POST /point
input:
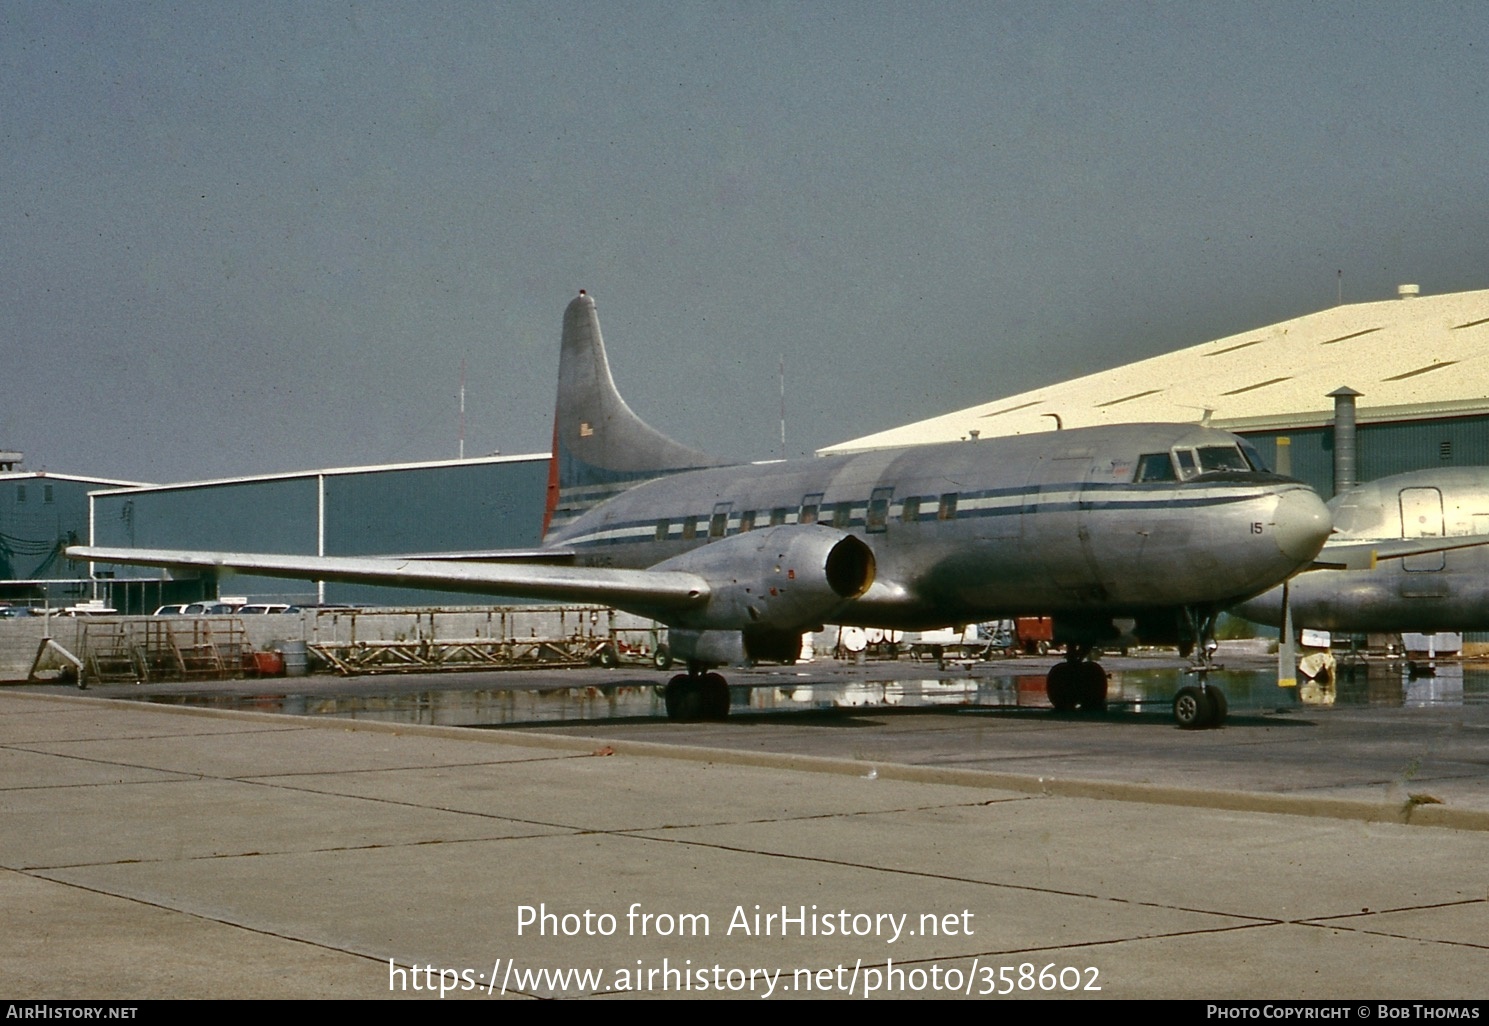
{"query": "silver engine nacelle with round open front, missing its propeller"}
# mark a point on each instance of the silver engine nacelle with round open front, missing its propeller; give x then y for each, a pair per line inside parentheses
(781, 579)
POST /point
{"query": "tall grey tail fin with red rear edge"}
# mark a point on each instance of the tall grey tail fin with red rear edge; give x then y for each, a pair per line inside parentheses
(601, 446)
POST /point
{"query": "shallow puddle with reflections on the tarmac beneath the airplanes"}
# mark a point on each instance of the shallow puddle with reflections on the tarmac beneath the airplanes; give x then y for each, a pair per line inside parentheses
(1131, 692)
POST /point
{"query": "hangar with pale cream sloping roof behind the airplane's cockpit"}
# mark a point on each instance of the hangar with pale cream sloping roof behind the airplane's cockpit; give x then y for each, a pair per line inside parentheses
(1418, 364)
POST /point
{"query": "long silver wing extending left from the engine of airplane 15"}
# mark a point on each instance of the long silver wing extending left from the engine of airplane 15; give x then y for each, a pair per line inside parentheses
(641, 592)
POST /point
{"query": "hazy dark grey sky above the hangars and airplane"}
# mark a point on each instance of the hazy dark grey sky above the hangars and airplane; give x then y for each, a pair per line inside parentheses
(254, 238)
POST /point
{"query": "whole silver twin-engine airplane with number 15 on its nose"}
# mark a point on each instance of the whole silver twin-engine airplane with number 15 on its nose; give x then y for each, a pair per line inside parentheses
(1143, 531)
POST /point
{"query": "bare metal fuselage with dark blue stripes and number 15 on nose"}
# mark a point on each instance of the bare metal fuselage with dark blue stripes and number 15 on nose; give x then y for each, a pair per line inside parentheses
(994, 528)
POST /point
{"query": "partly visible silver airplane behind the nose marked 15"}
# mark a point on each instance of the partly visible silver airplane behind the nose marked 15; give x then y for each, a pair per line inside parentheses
(1411, 553)
